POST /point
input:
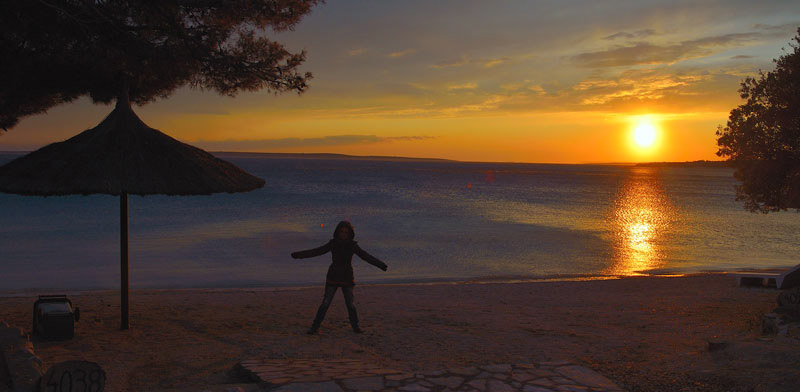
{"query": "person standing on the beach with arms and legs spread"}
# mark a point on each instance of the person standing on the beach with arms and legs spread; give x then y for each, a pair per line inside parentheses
(340, 273)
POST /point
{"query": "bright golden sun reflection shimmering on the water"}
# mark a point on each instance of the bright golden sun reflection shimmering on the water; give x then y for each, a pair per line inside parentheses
(640, 222)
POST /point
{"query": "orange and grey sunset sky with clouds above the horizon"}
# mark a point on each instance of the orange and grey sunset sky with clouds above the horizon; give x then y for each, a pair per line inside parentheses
(521, 81)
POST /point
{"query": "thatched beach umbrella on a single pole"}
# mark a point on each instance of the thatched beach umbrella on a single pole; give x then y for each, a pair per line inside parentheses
(123, 156)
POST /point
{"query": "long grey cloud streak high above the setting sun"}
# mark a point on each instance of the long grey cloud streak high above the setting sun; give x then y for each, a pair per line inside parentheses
(644, 53)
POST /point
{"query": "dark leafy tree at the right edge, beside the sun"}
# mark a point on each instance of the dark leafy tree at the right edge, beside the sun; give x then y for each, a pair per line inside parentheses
(762, 137)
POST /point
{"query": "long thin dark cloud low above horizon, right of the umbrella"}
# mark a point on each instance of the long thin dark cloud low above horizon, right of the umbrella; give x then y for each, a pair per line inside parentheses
(291, 142)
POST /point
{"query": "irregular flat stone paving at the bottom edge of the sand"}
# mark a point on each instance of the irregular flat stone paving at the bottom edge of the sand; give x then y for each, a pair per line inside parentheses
(351, 376)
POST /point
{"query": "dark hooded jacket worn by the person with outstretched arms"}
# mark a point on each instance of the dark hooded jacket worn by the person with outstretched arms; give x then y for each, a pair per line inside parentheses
(340, 273)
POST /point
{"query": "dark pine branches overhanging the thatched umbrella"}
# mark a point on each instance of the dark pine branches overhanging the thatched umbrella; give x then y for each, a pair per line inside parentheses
(55, 51)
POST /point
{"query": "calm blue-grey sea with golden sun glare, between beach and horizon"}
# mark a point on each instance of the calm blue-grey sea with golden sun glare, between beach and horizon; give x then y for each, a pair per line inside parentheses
(428, 220)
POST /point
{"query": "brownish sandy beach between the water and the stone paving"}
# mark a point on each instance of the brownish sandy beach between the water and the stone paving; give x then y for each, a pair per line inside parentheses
(644, 333)
